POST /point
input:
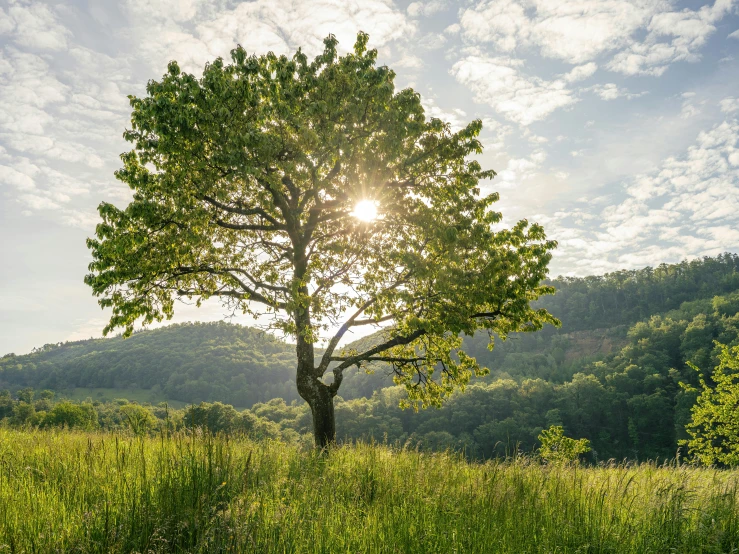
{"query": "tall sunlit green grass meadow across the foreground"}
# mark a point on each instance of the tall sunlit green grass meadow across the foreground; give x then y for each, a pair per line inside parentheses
(81, 492)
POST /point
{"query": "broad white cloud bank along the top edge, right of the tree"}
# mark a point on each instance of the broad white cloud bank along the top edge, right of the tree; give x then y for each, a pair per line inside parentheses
(579, 31)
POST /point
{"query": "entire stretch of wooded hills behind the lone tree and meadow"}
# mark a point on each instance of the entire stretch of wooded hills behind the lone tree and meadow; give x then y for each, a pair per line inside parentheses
(611, 374)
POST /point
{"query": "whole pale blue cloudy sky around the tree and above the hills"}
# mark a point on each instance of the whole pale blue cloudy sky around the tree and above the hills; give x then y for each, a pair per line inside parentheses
(613, 123)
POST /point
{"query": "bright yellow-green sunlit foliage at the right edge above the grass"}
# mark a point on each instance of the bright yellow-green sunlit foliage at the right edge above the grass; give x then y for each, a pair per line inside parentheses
(714, 426)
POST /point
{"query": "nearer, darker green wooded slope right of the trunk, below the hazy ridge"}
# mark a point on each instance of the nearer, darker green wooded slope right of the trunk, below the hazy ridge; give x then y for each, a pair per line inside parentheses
(628, 403)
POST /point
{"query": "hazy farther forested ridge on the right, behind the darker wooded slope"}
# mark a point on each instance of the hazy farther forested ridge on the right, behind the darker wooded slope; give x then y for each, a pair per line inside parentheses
(596, 313)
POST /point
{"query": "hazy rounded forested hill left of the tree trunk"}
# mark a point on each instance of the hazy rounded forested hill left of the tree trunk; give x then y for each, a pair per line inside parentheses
(188, 362)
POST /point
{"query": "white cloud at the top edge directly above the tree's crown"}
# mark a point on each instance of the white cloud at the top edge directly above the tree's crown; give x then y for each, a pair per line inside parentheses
(259, 26)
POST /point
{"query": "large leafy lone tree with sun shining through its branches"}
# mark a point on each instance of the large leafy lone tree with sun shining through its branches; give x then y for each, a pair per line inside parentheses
(312, 194)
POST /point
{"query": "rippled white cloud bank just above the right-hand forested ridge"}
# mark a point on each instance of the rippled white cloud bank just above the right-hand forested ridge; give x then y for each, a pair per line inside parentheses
(687, 207)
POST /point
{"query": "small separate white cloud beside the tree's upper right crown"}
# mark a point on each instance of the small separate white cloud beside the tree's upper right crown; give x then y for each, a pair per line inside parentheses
(499, 83)
